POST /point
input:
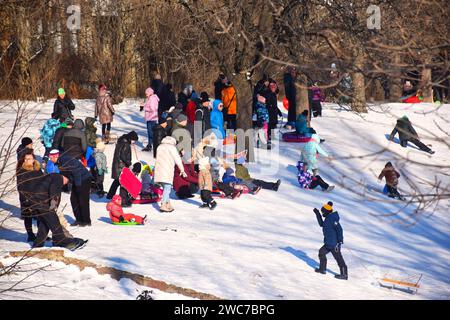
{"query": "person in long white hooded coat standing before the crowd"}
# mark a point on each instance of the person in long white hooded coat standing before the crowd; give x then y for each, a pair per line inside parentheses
(166, 158)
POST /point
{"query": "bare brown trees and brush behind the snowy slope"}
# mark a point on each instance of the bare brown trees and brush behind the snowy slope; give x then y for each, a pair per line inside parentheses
(125, 43)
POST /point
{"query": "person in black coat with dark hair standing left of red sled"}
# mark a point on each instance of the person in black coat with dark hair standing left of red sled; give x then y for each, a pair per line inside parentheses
(122, 159)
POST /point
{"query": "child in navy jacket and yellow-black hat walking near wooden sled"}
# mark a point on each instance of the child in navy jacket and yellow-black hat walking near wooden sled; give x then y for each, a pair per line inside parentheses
(333, 239)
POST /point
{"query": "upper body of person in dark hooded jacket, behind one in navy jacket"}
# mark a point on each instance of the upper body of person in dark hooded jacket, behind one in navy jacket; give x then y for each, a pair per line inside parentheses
(74, 141)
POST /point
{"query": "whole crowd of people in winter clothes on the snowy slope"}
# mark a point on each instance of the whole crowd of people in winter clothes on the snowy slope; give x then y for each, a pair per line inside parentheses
(74, 160)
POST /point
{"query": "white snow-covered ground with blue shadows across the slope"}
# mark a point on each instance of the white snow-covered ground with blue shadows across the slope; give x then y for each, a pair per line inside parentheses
(265, 246)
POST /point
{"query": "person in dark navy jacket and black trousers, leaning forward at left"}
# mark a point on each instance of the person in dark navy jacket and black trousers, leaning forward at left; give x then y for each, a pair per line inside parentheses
(80, 178)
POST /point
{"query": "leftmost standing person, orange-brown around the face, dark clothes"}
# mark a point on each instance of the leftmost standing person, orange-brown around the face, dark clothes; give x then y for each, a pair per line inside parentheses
(28, 171)
